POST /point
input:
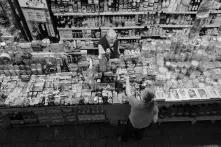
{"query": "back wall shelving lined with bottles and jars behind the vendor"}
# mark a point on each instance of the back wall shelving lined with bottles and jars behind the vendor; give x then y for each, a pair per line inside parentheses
(128, 17)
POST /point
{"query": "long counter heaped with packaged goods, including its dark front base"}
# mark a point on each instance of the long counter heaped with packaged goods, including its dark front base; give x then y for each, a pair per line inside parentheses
(50, 84)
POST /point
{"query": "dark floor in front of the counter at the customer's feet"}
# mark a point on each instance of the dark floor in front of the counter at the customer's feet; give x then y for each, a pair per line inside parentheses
(203, 134)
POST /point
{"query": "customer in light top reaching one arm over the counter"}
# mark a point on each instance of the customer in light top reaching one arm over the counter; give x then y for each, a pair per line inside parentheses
(144, 111)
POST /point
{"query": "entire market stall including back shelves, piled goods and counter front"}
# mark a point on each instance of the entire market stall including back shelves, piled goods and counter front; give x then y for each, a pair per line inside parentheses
(171, 46)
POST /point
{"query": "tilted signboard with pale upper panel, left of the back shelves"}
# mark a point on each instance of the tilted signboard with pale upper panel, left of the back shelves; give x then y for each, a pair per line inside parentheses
(38, 18)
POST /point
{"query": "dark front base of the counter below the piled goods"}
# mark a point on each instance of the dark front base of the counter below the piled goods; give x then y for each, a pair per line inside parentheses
(114, 114)
